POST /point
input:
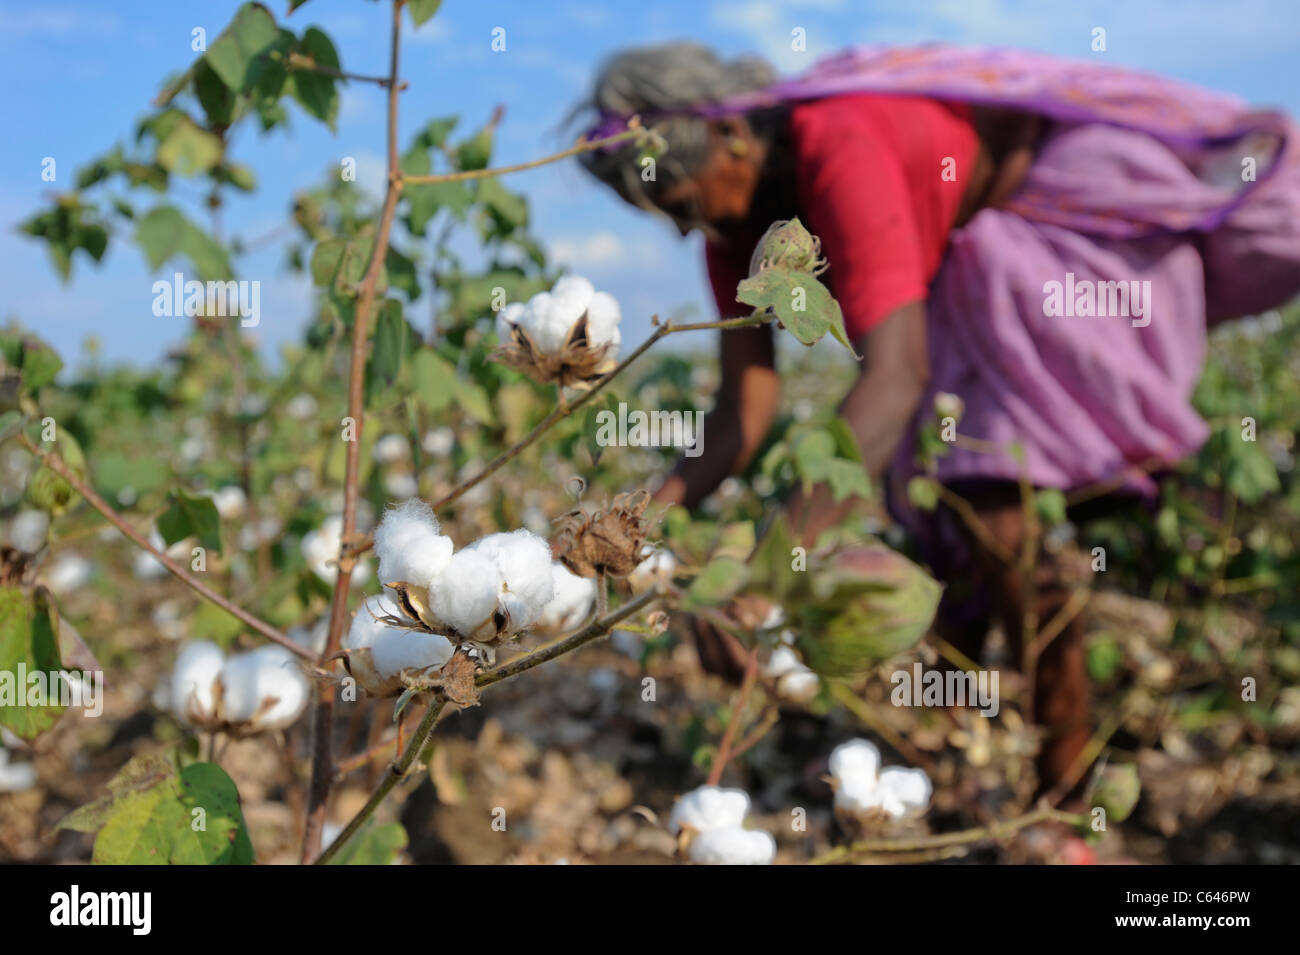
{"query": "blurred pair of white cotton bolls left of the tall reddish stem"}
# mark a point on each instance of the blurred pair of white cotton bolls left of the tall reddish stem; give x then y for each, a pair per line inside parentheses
(259, 692)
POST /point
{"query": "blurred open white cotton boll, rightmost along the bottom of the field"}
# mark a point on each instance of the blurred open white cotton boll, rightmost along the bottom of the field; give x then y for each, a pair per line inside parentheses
(868, 795)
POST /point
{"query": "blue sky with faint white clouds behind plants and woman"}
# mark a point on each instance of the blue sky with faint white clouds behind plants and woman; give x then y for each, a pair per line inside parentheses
(79, 75)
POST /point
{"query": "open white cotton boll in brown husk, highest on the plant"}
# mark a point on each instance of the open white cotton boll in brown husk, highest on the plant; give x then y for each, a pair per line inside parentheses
(569, 336)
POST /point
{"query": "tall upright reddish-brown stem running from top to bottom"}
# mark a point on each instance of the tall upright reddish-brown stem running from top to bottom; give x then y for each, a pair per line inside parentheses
(323, 724)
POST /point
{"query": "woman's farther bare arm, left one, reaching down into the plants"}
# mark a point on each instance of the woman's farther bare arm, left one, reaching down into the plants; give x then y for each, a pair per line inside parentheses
(733, 432)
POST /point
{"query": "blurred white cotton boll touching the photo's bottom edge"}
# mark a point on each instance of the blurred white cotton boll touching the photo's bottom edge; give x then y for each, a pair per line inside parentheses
(709, 823)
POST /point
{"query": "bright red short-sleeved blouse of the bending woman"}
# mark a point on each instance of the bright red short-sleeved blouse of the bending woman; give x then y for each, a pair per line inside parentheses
(873, 186)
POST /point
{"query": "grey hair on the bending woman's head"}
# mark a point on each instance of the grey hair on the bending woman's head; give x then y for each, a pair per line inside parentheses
(662, 80)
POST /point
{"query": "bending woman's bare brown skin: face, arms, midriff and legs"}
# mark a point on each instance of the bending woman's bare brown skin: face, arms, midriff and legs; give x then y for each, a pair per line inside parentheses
(744, 186)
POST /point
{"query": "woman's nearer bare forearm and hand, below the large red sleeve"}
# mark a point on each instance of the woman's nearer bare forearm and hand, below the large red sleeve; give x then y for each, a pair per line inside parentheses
(879, 407)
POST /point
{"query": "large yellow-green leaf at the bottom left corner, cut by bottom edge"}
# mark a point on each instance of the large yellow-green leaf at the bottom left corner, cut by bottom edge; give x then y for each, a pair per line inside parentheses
(187, 819)
